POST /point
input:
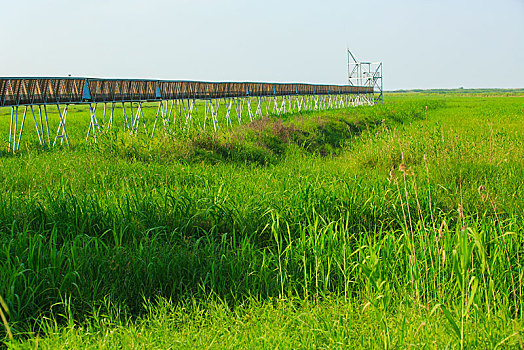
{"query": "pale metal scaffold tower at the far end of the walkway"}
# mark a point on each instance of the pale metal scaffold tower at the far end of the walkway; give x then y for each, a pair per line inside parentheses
(366, 74)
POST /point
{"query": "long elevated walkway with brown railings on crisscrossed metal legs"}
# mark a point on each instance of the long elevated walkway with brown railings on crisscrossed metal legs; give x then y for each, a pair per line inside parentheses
(177, 103)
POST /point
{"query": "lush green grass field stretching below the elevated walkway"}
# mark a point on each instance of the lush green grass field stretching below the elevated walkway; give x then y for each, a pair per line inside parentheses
(393, 226)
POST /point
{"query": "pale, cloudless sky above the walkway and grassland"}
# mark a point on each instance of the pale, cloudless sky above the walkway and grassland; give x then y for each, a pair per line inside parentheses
(423, 44)
